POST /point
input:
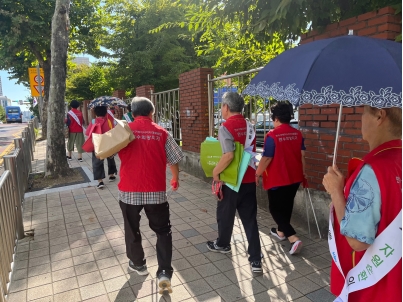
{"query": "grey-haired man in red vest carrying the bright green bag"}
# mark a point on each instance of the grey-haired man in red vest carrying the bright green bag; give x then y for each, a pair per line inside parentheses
(235, 129)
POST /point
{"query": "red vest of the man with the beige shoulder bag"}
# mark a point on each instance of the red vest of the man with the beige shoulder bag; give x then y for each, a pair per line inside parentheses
(143, 161)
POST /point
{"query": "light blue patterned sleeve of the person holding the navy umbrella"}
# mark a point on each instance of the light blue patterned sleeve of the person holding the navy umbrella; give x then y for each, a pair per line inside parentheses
(363, 208)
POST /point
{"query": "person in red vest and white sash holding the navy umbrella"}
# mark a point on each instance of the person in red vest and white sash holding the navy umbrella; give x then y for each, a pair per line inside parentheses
(366, 204)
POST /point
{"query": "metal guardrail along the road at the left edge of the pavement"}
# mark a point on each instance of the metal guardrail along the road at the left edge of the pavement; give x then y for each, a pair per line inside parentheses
(13, 183)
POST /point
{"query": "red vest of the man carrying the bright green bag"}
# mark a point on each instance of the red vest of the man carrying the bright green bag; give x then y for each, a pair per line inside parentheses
(236, 125)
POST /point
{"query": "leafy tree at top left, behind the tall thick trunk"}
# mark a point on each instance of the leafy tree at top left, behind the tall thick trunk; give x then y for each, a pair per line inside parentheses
(25, 36)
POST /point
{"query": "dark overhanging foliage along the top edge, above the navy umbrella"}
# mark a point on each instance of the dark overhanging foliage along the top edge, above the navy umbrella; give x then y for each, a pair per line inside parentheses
(288, 18)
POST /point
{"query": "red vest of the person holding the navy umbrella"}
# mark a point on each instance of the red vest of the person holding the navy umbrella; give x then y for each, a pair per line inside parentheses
(386, 161)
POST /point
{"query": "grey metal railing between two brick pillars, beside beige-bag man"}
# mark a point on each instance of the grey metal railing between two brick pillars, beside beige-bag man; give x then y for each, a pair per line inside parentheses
(167, 111)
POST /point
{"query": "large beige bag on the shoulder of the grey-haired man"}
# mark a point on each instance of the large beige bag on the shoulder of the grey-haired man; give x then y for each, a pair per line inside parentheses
(111, 142)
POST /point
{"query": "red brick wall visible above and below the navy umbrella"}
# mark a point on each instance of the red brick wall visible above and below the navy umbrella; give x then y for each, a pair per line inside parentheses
(318, 123)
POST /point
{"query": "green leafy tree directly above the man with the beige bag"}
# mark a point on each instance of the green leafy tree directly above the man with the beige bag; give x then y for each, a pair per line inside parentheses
(141, 57)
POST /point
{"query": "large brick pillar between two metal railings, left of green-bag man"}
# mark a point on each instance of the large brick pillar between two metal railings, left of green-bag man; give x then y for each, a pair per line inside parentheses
(194, 108)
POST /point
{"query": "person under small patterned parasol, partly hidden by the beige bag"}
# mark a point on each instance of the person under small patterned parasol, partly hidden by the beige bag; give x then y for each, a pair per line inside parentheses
(98, 168)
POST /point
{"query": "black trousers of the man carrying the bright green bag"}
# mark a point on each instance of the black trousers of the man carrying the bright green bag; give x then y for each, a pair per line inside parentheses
(245, 202)
